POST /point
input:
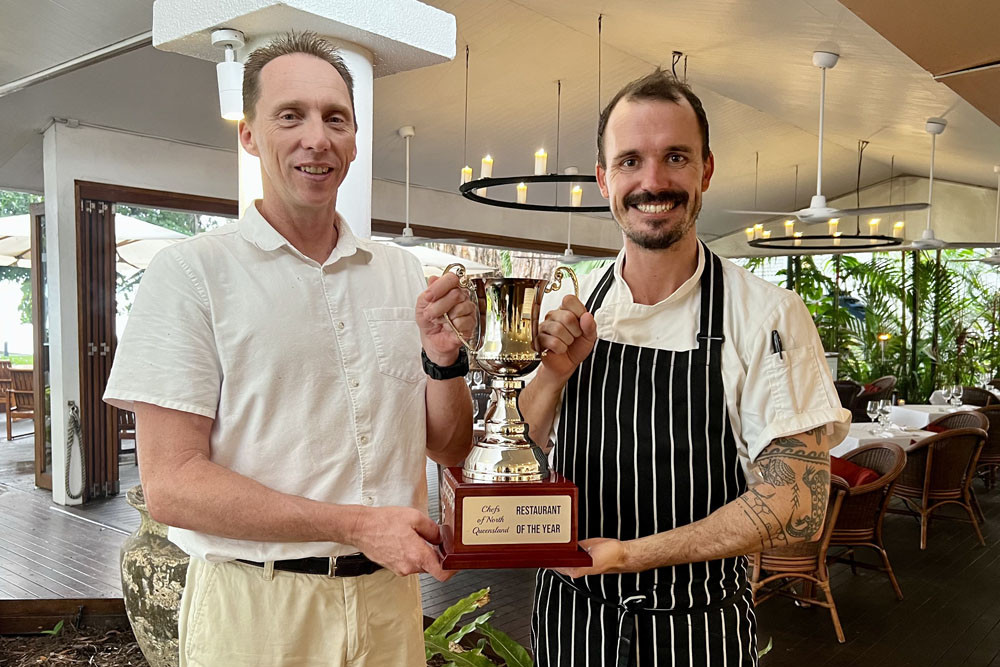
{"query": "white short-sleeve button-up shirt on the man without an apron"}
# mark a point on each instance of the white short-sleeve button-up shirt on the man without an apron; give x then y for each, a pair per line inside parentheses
(310, 371)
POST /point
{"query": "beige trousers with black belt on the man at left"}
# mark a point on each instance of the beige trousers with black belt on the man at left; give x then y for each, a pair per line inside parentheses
(235, 615)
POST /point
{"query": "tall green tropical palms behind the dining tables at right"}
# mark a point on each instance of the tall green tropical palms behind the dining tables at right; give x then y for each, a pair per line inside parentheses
(863, 306)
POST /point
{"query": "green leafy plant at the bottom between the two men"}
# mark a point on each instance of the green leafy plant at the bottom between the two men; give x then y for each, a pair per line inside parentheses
(441, 638)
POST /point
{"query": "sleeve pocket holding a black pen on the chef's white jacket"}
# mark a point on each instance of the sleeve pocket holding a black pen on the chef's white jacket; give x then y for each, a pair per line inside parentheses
(795, 381)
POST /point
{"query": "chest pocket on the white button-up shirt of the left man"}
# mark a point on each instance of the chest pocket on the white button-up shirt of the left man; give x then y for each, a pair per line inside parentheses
(397, 342)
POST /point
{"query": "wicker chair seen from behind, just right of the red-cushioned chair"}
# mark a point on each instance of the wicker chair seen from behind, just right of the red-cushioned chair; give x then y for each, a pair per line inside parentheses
(938, 472)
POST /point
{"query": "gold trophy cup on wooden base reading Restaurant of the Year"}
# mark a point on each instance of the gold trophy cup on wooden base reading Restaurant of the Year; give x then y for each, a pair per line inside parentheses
(505, 507)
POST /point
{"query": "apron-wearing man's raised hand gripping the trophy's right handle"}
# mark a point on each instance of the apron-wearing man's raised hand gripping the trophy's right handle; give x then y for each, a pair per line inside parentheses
(568, 335)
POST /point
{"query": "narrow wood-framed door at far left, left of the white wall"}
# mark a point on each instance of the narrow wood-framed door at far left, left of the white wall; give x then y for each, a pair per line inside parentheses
(40, 326)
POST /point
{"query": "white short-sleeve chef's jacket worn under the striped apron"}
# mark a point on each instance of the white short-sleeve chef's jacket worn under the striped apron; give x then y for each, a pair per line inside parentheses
(768, 395)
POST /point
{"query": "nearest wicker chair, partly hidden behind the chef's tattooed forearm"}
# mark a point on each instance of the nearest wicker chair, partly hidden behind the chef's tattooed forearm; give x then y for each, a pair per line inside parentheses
(805, 561)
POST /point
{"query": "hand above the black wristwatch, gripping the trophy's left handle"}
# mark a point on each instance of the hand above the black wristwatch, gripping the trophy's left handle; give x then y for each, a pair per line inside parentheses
(444, 296)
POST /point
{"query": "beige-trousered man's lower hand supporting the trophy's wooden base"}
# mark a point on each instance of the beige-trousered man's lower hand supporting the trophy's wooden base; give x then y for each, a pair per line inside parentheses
(399, 539)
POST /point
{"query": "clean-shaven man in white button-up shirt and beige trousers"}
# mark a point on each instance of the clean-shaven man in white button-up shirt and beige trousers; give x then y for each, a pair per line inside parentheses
(283, 416)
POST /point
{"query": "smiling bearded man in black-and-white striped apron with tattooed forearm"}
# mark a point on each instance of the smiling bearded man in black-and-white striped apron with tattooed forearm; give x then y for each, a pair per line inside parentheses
(691, 403)
